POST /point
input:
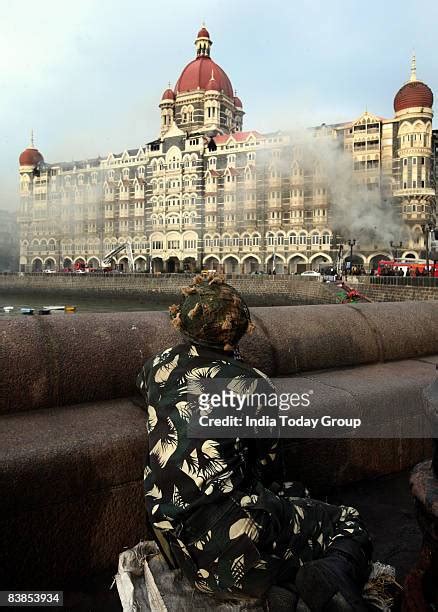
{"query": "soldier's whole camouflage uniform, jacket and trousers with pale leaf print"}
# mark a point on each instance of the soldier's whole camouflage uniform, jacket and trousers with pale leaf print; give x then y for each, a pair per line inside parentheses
(210, 496)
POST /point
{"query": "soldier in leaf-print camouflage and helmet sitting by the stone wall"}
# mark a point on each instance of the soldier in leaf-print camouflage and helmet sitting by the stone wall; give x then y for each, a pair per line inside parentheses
(213, 501)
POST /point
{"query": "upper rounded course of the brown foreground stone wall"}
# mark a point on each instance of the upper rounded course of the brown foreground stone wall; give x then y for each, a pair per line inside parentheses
(56, 361)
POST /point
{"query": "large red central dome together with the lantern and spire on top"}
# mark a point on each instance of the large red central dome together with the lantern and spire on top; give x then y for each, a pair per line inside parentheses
(203, 72)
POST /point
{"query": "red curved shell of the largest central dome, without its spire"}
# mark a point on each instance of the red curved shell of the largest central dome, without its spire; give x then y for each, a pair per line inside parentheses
(197, 74)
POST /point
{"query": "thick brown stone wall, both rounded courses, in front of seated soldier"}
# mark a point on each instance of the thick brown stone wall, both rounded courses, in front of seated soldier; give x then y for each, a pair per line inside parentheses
(73, 432)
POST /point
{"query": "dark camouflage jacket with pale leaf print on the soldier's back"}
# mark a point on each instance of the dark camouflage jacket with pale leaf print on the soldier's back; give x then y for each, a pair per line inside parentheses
(183, 473)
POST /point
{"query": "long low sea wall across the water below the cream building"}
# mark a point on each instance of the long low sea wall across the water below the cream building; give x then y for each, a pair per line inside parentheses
(257, 290)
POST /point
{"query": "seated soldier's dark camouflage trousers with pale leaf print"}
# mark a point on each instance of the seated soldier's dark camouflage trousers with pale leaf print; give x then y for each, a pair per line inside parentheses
(254, 540)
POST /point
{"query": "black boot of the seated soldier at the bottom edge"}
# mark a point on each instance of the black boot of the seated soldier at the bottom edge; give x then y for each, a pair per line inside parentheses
(335, 582)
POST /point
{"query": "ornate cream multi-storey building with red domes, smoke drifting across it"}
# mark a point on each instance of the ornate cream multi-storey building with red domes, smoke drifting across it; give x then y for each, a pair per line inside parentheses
(206, 194)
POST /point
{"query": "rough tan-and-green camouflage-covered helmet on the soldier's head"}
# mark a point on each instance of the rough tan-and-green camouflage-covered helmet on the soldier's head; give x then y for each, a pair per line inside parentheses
(212, 313)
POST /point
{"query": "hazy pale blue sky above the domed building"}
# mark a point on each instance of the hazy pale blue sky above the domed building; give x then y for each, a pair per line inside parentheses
(88, 75)
